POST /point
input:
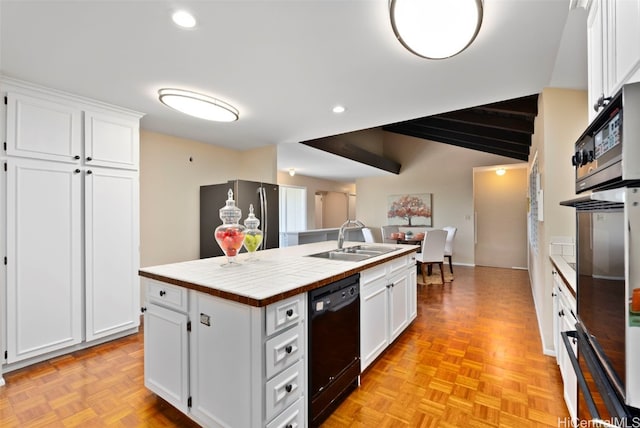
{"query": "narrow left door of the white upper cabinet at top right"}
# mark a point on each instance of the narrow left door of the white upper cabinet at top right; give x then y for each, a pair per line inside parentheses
(596, 55)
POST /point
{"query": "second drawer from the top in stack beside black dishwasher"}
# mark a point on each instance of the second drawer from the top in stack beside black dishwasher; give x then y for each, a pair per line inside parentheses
(284, 349)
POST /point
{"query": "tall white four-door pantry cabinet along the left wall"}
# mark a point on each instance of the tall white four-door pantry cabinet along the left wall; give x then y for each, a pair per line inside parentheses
(71, 217)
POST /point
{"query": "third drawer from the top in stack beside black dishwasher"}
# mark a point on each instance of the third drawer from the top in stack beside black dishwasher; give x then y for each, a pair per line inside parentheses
(284, 389)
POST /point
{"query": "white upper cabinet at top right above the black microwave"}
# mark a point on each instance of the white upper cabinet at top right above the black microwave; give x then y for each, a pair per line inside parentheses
(613, 37)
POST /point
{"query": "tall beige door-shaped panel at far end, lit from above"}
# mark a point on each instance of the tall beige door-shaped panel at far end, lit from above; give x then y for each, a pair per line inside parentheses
(500, 204)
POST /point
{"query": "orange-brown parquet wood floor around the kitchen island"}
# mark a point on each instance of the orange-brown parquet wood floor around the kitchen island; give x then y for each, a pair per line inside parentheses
(472, 358)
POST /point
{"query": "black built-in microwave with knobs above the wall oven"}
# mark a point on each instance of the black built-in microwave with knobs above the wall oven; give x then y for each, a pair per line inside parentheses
(607, 154)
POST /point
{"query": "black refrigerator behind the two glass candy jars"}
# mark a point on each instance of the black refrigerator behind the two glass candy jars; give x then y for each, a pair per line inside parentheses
(265, 199)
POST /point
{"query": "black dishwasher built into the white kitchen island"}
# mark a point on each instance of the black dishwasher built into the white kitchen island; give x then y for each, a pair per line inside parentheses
(334, 345)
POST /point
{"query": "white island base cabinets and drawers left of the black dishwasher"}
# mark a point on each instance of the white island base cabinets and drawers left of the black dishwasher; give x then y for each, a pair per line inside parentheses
(223, 363)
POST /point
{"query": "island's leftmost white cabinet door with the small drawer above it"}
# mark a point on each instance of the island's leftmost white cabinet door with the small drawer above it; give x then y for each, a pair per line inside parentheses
(166, 343)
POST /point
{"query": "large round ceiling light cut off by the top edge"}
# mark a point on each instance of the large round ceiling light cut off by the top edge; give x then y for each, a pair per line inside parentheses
(436, 29)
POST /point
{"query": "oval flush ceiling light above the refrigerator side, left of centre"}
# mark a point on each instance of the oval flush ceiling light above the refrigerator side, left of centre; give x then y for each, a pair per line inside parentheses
(198, 105)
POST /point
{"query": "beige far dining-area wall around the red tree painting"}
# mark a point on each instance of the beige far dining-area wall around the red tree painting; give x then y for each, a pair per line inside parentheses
(427, 167)
